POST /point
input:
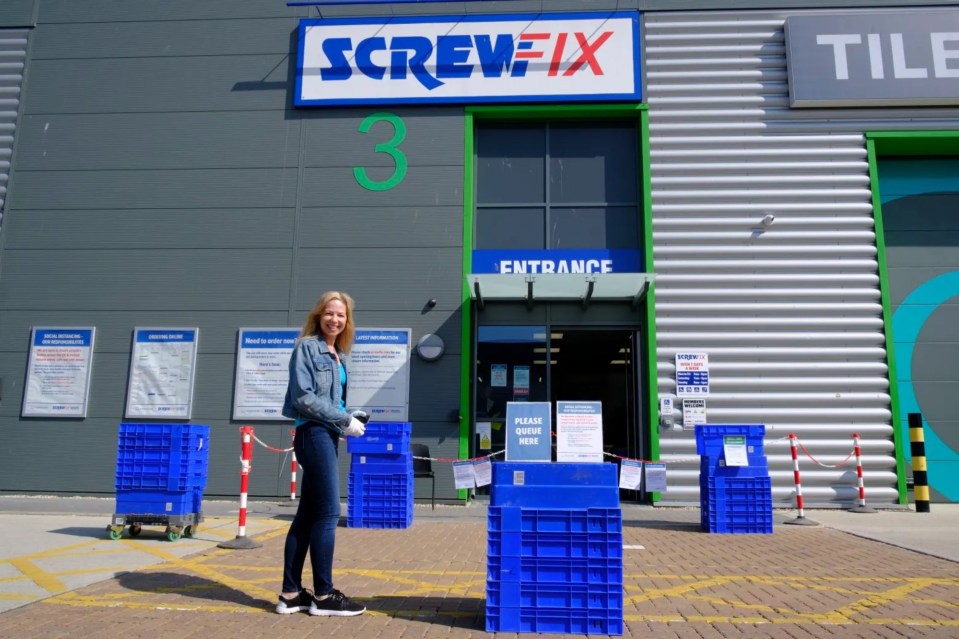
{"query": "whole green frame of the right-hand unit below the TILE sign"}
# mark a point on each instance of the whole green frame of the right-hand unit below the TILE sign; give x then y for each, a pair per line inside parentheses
(898, 143)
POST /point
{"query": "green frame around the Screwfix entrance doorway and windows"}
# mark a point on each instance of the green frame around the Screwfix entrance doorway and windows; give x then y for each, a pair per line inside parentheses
(554, 112)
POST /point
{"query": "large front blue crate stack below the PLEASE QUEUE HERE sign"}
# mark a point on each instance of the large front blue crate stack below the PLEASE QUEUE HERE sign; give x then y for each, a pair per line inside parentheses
(553, 567)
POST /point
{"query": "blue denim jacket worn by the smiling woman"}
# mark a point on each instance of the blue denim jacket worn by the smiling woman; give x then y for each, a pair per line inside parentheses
(314, 389)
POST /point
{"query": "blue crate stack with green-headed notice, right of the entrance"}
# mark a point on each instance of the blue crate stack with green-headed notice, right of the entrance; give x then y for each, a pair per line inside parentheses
(734, 499)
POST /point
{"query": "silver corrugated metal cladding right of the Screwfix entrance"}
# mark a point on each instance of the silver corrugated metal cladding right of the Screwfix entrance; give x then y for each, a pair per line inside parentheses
(765, 254)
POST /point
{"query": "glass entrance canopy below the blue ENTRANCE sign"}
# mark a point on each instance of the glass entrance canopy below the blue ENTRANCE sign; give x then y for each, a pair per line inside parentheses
(558, 287)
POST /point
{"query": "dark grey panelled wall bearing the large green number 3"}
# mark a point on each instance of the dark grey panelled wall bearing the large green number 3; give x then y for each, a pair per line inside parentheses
(162, 178)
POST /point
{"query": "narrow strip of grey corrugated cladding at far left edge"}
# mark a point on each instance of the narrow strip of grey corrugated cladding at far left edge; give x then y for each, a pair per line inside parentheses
(13, 54)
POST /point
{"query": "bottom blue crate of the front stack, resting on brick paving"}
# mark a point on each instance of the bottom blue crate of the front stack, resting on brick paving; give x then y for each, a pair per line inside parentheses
(554, 620)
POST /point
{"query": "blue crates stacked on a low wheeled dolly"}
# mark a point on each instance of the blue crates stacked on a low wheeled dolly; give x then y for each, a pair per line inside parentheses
(161, 469)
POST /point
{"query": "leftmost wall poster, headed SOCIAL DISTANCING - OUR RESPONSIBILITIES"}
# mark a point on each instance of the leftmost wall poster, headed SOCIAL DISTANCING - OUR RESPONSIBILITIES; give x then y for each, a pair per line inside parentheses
(58, 372)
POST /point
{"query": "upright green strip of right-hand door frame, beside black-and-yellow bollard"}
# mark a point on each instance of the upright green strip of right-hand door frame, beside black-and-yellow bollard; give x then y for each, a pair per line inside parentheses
(887, 319)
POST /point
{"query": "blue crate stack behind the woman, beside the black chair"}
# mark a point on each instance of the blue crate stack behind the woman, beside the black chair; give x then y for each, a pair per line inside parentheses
(380, 488)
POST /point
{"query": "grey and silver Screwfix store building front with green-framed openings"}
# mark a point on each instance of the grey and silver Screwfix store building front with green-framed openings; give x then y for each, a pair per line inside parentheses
(567, 202)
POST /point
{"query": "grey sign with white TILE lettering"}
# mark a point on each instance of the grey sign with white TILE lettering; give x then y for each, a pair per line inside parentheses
(873, 59)
